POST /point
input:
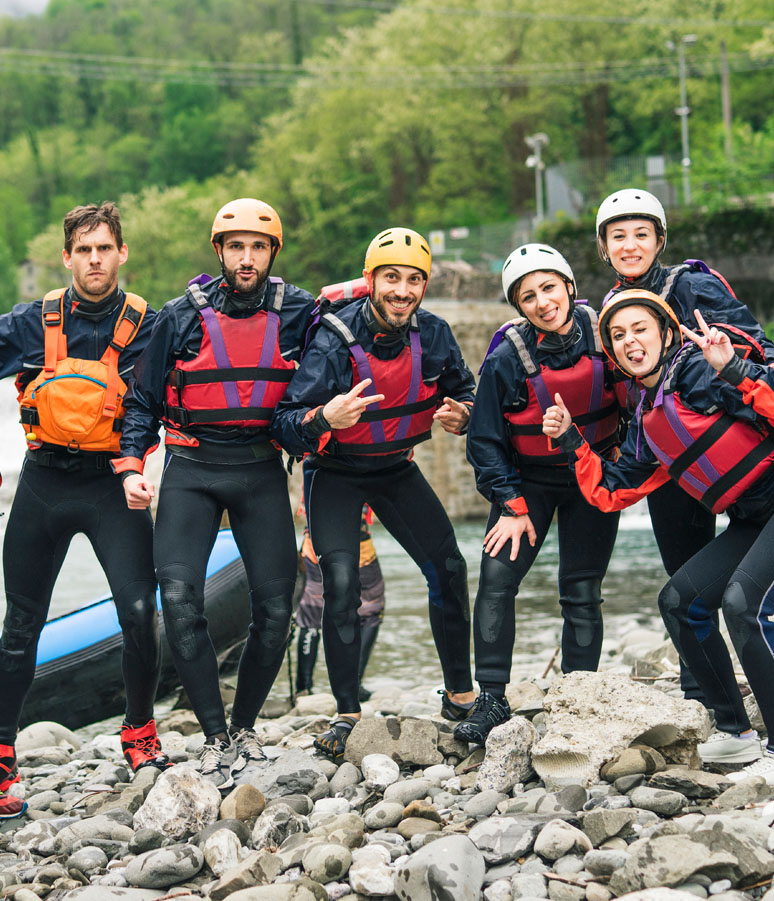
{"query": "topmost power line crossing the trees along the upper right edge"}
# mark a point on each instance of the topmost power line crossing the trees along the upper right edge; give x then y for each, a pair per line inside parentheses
(692, 23)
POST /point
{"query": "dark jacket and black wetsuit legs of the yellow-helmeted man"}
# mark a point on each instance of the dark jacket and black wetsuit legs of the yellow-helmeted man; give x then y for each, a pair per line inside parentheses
(393, 486)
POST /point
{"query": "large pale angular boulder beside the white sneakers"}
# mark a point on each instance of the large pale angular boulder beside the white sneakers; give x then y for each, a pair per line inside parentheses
(592, 717)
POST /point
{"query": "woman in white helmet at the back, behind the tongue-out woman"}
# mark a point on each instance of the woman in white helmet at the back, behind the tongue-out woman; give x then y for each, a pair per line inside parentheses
(631, 236)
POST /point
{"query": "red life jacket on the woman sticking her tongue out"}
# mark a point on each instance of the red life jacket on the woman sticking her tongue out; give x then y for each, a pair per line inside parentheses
(715, 458)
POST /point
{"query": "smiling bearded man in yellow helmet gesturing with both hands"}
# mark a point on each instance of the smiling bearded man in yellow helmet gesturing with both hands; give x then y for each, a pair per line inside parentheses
(375, 376)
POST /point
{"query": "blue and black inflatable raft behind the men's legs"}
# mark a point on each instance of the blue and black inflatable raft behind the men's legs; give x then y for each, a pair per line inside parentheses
(78, 676)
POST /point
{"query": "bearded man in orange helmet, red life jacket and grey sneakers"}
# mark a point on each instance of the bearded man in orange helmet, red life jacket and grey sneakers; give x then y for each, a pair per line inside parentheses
(218, 362)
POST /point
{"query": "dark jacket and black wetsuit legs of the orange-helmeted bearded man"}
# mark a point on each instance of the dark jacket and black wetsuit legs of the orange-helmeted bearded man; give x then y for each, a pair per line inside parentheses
(222, 467)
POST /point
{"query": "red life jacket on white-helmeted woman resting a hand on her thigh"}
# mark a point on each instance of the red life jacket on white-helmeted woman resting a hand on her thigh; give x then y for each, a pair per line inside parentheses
(586, 388)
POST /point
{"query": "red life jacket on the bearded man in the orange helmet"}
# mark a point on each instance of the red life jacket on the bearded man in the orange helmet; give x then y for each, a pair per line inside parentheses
(239, 375)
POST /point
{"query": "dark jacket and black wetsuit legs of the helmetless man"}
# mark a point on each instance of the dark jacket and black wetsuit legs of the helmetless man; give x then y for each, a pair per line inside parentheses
(61, 494)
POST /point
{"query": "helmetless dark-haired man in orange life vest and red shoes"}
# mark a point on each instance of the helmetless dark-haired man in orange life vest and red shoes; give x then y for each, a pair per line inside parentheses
(72, 352)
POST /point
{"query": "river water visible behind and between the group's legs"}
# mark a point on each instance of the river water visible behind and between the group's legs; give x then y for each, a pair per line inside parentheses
(405, 644)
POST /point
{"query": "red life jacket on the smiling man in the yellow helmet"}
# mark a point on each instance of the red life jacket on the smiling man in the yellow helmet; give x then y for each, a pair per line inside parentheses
(405, 416)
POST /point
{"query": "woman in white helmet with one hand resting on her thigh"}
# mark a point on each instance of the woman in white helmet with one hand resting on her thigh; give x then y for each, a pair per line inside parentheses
(553, 348)
